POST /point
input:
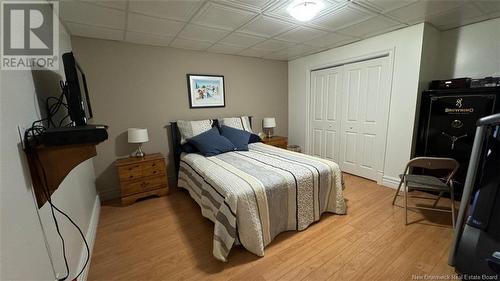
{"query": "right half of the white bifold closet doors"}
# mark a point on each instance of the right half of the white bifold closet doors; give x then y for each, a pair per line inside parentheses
(365, 103)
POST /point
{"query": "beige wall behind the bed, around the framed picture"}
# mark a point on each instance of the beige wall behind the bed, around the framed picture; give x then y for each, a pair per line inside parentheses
(144, 86)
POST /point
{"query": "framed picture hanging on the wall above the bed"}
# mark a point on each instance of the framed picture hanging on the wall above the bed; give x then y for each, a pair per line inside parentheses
(206, 90)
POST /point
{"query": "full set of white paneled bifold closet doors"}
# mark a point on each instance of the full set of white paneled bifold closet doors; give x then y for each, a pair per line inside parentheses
(349, 115)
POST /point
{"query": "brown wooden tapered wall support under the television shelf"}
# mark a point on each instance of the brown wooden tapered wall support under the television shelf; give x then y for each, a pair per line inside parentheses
(57, 162)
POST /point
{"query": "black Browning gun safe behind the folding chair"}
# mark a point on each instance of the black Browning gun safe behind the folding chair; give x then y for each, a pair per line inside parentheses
(447, 124)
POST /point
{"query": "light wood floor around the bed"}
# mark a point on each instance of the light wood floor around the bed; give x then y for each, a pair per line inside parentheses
(168, 239)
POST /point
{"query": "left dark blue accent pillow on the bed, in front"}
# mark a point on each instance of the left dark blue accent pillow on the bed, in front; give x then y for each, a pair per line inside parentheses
(211, 143)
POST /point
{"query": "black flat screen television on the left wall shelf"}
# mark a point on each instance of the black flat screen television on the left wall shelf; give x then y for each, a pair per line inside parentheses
(76, 91)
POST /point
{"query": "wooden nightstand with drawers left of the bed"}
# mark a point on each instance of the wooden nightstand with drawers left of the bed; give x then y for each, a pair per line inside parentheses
(141, 177)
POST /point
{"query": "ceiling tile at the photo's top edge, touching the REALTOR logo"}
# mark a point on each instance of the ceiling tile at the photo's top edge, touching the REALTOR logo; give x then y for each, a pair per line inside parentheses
(89, 14)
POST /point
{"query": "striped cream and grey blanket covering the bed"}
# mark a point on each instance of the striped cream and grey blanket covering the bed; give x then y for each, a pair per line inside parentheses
(254, 195)
